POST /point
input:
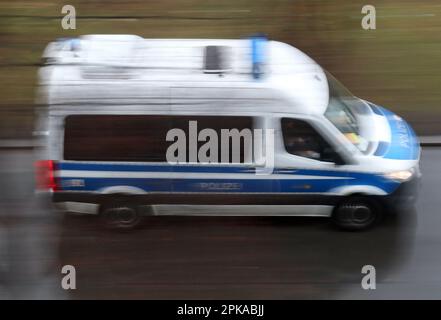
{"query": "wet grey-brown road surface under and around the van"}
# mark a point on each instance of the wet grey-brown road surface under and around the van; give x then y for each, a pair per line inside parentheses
(214, 257)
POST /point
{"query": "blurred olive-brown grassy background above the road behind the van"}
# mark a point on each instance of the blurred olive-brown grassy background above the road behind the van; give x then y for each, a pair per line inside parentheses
(397, 65)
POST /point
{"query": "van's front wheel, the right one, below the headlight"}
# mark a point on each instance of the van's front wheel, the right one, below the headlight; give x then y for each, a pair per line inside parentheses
(357, 213)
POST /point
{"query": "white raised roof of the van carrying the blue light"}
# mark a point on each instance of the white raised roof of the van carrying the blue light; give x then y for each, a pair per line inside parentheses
(128, 69)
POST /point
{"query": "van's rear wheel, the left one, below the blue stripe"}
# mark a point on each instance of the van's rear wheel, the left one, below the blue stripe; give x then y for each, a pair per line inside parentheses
(120, 215)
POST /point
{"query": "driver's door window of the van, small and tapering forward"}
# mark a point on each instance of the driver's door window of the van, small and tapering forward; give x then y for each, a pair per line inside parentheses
(302, 140)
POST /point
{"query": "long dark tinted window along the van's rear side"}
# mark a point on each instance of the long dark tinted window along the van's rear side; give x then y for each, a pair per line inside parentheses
(143, 137)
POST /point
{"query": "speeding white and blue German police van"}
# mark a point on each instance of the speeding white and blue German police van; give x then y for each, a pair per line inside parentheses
(108, 102)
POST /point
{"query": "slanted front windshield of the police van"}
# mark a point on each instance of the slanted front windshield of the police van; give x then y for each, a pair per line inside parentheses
(343, 110)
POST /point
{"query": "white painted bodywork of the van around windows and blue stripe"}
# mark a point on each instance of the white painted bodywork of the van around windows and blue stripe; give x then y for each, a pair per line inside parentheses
(129, 75)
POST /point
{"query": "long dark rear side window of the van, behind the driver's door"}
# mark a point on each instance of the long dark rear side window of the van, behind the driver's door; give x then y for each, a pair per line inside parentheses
(138, 137)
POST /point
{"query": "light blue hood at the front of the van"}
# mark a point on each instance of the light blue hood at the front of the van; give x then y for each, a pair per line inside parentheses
(402, 143)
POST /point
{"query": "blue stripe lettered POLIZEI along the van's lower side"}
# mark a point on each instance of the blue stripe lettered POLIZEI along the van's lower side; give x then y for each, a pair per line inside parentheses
(229, 184)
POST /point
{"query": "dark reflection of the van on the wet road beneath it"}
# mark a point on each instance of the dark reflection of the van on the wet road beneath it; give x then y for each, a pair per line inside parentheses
(230, 257)
